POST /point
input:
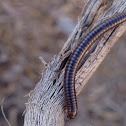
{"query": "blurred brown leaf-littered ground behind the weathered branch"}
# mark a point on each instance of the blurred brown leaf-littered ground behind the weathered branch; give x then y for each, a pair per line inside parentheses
(33, 28)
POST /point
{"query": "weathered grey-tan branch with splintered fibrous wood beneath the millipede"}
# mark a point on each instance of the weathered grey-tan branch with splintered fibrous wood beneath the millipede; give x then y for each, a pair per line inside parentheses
(46, 103)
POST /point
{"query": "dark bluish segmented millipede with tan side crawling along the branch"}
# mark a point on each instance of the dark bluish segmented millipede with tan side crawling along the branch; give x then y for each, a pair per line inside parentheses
(77, 55)
